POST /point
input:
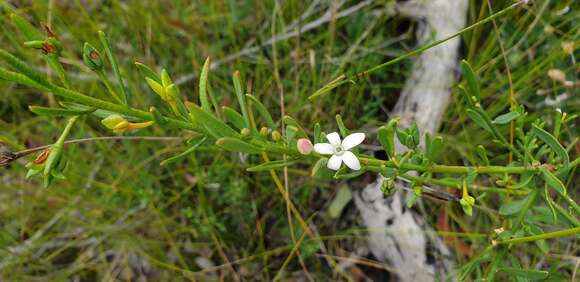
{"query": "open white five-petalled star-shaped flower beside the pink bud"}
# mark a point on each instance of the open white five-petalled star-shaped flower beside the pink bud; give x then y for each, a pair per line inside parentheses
(340, 150)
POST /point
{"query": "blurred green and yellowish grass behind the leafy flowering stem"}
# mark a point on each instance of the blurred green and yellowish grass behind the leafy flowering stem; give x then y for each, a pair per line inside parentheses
(120, 215)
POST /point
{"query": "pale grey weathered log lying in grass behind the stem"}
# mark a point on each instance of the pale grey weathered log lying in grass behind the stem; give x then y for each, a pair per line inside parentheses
(398, 235)
